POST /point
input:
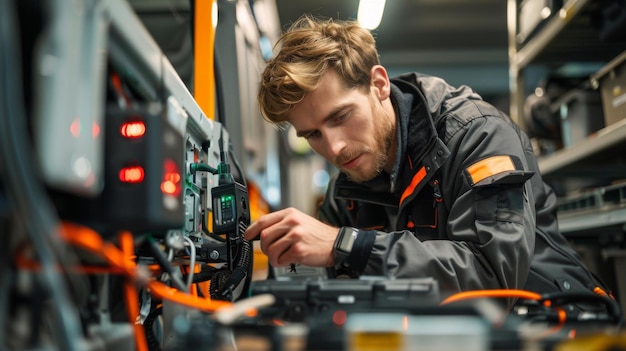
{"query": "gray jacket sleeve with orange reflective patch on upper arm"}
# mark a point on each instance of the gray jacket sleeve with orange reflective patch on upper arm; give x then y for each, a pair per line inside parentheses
(489, 234)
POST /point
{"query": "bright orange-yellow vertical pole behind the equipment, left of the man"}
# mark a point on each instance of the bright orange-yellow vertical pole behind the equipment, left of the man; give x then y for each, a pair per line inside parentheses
(205, 22)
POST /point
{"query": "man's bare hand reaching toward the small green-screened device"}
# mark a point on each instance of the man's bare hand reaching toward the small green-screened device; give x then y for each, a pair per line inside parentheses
(290, 236)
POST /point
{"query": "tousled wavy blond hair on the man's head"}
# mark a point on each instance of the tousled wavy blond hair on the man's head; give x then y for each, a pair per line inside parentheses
(309, 48)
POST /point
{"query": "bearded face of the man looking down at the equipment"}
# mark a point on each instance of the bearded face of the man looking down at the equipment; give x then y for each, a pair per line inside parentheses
(351, 129)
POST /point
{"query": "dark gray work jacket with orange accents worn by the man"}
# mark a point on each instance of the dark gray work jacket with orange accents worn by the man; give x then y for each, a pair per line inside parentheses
(465, 204)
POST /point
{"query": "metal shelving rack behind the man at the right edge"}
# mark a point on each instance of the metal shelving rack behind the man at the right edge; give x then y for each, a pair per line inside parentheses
(569, 36)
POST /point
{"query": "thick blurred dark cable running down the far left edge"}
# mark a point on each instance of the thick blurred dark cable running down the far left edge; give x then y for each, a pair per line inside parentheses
(23, 185)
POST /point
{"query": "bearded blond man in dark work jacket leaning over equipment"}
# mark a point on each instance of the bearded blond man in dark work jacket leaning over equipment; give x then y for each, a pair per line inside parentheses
(434, 181)
